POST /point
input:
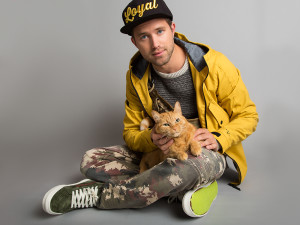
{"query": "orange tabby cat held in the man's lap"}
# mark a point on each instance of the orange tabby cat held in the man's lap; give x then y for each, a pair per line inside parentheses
(174, 125)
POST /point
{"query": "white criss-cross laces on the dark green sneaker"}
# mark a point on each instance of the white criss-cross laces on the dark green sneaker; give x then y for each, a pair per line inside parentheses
(83, 198)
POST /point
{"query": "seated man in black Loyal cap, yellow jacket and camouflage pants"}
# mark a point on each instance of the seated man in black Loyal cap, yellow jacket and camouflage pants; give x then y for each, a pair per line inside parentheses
(166, 69)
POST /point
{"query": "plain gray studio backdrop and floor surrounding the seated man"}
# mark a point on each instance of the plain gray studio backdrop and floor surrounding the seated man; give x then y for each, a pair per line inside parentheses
(62, 87)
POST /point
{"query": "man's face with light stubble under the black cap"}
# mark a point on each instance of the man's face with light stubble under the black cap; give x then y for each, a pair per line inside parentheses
(155, 41)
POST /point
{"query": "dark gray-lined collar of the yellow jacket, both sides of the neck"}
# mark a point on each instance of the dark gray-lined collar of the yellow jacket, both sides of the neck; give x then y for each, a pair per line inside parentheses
(195, 52)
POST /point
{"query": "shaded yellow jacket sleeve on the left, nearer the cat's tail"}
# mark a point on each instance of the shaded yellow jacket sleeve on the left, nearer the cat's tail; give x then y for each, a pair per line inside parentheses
(134, 113)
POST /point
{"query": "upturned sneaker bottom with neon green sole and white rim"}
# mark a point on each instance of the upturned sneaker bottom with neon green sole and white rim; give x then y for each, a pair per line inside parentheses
(196, 203)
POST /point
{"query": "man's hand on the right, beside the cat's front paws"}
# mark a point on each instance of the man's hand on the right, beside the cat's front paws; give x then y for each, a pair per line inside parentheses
(207, 139)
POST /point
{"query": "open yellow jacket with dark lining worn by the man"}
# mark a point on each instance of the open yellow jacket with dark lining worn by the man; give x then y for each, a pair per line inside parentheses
(223, 103)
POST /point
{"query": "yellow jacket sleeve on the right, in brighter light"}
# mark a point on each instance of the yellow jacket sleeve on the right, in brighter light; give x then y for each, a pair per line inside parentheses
(234, 100)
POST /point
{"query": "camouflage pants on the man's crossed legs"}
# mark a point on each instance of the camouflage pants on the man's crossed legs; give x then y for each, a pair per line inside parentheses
(117, 167)
